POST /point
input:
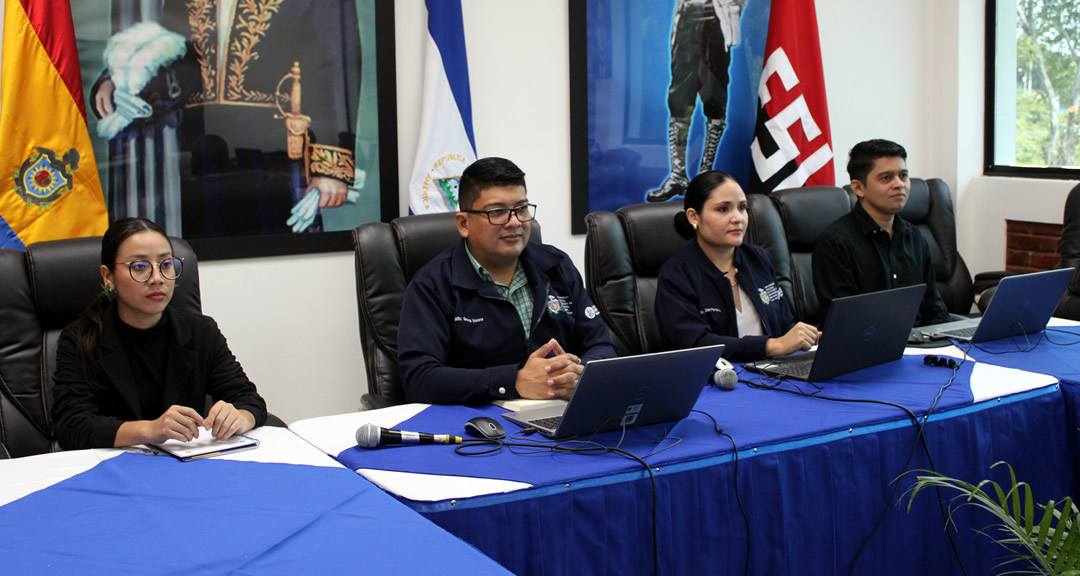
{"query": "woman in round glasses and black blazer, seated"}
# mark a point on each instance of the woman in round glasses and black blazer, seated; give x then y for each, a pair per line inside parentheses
(130, 371)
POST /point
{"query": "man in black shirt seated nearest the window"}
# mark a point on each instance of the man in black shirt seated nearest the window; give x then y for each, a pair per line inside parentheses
(873, 249)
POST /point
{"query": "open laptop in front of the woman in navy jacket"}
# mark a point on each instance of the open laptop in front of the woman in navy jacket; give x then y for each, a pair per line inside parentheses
(860, 331)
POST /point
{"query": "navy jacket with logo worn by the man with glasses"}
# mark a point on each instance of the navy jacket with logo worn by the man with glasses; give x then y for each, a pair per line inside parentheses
(461, 342)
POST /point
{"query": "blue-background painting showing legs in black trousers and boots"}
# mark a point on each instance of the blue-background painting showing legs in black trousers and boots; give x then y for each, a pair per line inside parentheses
(659, 92)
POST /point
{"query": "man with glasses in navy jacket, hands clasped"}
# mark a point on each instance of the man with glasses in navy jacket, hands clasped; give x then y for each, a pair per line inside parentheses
(497, 317)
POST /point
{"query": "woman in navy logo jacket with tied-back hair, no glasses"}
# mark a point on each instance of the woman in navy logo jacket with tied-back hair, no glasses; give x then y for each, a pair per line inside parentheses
(720, 290)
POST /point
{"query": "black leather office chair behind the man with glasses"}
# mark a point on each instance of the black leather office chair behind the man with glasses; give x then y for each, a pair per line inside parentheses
(388, 256)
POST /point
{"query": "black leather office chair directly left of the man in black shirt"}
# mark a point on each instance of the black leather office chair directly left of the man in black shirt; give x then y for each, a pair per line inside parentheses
(805, 215)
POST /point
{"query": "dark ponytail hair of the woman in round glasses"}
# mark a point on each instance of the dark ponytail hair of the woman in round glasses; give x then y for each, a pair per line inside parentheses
(88, 328)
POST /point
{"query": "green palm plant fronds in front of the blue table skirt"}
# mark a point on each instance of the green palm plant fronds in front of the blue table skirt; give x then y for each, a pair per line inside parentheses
(1050, 546)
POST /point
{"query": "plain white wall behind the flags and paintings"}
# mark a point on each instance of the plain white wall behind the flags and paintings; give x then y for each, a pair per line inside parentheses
(910, 72)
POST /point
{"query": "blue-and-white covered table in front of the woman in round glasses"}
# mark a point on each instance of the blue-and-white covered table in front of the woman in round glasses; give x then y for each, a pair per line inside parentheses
(283, 508)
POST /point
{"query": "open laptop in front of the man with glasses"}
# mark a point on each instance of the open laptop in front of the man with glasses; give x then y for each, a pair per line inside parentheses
(633, 391)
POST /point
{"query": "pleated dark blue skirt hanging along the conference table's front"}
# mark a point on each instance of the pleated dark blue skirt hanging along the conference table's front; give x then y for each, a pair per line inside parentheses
(811, 506)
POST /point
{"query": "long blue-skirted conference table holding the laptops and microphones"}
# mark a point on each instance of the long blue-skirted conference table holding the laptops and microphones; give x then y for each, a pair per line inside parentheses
(816, 485)
